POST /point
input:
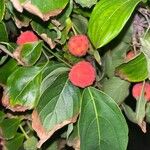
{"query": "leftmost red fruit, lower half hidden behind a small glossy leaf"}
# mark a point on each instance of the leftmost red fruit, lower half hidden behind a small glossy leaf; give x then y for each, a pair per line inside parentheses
(26, 37)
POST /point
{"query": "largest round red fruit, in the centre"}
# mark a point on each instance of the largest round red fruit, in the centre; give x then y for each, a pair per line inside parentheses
(82, 74)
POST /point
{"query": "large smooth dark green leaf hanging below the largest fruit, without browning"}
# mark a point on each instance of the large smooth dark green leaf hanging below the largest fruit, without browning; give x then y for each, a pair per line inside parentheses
(102, 125)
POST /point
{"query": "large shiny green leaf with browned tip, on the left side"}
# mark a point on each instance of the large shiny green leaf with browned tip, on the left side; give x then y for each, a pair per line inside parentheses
(23, 88)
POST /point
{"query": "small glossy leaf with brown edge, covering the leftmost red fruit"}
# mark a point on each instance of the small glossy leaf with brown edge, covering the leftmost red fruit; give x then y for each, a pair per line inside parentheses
(30, 53)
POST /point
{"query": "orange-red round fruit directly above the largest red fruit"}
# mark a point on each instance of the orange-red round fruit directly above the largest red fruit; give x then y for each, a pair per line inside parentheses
(78, 45)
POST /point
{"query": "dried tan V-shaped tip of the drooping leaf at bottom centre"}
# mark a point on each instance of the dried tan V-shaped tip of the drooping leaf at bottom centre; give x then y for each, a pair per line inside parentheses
(42, 133)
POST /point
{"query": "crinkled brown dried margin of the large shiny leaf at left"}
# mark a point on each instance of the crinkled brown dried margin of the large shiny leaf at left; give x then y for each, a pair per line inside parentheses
(17, 108)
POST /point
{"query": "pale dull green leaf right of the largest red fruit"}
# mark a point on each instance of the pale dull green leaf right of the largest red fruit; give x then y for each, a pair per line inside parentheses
(116, 88)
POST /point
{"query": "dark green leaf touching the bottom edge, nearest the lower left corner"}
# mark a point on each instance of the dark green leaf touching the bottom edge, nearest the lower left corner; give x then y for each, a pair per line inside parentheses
(15, 143)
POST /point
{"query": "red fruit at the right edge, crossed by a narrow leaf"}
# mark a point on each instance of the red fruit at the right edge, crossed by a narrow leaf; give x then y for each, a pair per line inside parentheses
(137, 88)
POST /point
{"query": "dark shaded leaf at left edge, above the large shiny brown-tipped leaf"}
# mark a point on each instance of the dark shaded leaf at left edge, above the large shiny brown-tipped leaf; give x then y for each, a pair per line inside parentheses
(6, 70)
